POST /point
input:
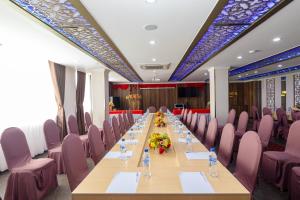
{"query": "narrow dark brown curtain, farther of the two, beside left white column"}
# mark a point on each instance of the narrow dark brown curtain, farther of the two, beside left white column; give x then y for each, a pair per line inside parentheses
(79, 101)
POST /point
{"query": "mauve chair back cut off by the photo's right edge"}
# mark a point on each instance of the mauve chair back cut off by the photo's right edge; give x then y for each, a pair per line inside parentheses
(292, 144)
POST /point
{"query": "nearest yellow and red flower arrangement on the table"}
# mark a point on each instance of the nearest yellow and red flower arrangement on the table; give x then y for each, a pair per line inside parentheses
(160, 141)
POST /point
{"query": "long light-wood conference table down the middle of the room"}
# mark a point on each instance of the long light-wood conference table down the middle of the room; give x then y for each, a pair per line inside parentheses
(165, 169)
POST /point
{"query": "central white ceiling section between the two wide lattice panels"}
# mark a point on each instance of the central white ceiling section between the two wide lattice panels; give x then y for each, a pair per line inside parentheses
(178, 23)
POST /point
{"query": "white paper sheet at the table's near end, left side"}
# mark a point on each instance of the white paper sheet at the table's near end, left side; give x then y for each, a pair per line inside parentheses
(124, 182)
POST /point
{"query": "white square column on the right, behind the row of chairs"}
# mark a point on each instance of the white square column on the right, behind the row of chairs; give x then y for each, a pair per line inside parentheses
(219, 98)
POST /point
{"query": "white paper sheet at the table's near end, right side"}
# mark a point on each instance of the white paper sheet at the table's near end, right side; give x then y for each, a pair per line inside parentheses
(195, 182)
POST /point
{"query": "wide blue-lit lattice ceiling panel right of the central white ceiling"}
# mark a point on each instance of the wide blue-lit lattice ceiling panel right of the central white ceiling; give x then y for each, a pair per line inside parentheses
(235, 18)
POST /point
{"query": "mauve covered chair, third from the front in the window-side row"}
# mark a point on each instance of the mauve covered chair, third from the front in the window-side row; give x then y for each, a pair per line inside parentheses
(73, 129)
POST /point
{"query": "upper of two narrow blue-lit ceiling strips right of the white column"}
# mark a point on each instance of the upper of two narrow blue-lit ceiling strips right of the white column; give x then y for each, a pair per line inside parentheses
(289, 54)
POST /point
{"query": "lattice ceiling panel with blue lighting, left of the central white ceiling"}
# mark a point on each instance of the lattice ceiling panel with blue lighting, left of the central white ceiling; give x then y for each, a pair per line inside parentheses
(64, 18)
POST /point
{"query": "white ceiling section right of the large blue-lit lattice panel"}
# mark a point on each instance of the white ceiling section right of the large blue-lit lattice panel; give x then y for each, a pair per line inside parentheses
(284, 24)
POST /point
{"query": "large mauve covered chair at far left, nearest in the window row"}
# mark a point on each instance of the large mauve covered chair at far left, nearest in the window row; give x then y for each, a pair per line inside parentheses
(39, 175)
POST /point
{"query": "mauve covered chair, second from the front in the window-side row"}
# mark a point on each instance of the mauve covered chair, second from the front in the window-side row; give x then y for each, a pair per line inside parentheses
(51, 132)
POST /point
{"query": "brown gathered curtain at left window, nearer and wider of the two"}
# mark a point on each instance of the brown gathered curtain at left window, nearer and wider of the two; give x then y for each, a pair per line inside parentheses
(58, 78)
